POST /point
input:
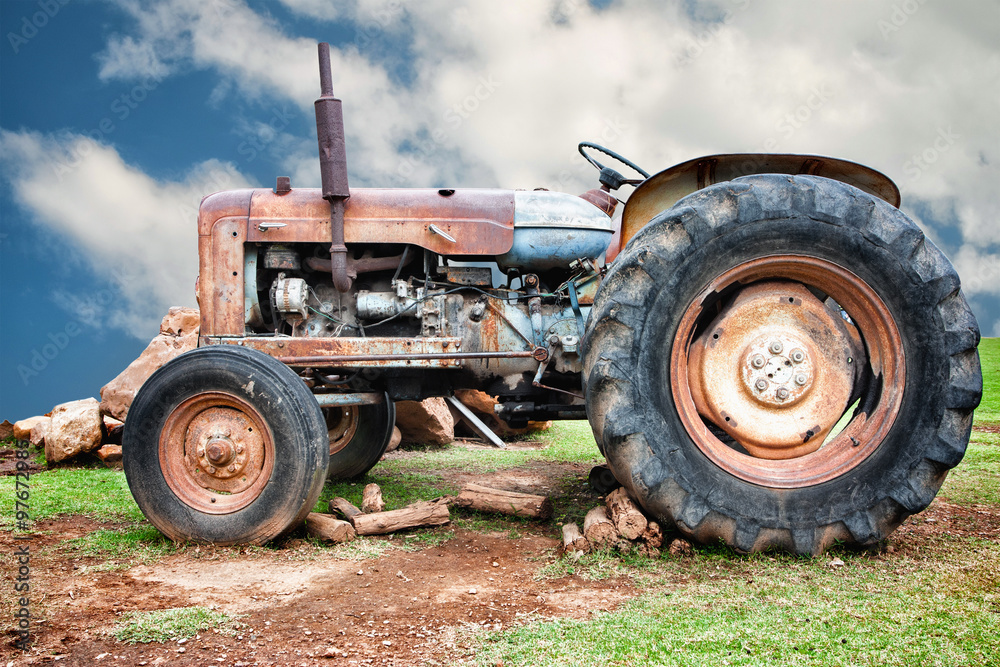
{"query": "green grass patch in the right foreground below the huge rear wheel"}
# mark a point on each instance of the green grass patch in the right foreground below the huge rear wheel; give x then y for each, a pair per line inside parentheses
(761, 610)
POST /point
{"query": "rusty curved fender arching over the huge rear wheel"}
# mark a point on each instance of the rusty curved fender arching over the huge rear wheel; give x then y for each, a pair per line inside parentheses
(663, 190)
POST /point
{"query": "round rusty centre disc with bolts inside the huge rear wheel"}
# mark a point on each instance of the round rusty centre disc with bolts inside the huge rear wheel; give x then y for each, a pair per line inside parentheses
(774, 370)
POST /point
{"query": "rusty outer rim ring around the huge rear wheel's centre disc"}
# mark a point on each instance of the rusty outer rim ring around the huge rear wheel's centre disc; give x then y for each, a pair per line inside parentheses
(880, 342)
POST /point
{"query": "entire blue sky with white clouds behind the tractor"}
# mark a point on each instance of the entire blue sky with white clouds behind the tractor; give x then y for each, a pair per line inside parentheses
(116, 116)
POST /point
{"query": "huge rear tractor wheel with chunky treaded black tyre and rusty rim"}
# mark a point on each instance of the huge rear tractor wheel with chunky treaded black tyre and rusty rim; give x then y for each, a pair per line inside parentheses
(705, 418)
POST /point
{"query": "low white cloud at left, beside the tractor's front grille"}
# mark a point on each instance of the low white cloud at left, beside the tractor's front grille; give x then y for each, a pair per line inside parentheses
(134, 231)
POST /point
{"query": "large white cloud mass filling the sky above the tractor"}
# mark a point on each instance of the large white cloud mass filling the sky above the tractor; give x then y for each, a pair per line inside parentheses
(501, 92)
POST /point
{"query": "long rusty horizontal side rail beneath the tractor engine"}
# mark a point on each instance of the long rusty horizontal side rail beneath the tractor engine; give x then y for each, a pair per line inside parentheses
(366, 352)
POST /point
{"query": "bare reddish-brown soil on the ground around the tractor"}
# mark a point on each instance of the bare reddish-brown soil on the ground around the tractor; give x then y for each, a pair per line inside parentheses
(301, 604)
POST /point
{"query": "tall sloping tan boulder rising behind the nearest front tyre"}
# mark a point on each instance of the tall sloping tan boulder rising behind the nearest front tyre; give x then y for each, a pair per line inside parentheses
(177, 337)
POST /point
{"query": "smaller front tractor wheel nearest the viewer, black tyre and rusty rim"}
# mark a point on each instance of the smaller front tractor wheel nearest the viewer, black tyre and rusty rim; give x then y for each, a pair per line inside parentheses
(225, 445)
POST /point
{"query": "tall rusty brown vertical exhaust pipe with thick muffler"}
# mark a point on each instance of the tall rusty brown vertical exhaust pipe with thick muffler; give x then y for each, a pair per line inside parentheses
(333, 166)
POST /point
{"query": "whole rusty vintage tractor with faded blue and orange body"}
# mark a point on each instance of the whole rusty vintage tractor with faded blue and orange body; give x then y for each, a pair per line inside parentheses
(768, 351)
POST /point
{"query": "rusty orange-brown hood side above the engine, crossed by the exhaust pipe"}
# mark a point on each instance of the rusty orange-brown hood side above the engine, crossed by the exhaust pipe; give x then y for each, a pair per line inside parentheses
(481, 222)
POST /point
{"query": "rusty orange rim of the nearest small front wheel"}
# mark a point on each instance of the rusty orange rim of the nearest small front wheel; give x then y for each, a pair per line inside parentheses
(216, 453)
